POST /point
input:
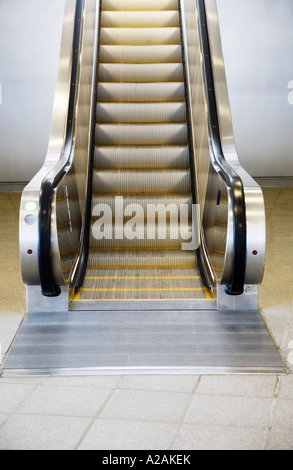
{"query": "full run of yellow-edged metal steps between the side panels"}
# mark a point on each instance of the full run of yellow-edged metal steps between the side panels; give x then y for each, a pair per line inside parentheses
(141, 156)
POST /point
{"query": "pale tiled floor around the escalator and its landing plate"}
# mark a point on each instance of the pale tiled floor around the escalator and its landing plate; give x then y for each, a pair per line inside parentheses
(153, 412)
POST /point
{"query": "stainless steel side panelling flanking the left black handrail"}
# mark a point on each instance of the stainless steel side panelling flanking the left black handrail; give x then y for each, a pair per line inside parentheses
(69, 198)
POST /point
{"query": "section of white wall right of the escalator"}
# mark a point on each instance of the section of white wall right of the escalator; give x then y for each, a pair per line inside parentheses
(257, 39)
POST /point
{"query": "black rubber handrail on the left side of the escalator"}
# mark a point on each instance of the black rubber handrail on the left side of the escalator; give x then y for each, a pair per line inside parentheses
(50, 182)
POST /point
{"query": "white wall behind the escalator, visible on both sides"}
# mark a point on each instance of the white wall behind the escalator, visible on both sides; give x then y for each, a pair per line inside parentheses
(258, 49)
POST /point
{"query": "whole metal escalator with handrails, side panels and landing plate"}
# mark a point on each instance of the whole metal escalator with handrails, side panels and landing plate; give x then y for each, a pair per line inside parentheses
(142, 237)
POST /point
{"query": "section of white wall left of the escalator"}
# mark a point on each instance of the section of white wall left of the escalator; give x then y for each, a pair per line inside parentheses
(30, 34)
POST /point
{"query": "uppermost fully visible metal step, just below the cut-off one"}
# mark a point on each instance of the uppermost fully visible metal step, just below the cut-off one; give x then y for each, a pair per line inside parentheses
(140, 19)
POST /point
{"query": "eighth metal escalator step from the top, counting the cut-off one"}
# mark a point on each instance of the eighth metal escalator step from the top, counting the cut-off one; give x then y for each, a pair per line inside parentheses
(144, 134)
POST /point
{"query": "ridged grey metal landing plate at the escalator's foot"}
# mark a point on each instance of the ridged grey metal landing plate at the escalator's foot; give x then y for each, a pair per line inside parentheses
(101, 342)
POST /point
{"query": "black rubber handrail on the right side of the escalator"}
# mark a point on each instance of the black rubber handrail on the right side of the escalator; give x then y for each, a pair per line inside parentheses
(226, 172)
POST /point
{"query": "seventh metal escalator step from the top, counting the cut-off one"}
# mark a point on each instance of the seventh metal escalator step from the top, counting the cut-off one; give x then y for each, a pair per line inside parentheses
(137, 113)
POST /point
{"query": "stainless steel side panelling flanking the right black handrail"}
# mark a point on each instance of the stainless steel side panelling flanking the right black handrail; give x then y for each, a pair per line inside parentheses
(208, 181)
